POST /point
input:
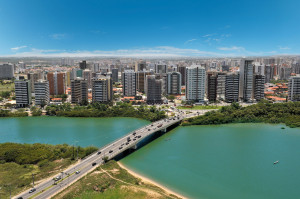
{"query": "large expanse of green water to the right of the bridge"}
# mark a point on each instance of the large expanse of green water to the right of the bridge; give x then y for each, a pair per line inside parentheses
(224, 162)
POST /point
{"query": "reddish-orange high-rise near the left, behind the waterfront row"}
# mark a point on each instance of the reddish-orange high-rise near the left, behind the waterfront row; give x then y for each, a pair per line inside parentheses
(56, 83)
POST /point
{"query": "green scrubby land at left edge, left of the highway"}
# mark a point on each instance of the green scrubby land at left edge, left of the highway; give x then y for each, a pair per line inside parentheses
(19, 161)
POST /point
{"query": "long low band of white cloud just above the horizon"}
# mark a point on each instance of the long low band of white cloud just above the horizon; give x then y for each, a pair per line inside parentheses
(158, 52)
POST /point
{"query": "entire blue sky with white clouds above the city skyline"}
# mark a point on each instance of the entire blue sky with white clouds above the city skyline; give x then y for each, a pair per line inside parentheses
(133, 28)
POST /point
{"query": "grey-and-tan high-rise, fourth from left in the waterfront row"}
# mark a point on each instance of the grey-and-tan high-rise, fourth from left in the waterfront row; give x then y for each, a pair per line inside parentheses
(102, 90)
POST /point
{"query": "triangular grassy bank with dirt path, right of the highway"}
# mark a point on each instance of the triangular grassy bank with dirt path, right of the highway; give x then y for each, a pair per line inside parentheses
(111, 181)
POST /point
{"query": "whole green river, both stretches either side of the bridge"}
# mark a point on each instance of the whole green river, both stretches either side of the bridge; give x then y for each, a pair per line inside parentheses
(211, 162)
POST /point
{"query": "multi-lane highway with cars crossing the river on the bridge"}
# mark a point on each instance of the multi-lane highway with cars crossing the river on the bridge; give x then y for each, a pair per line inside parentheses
(69, 176)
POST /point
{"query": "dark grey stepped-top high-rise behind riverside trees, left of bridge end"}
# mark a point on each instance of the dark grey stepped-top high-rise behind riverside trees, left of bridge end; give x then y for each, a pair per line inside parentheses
(153, 90)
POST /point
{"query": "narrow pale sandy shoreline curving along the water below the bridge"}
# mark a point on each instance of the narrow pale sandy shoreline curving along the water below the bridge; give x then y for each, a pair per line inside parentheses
(147, 180)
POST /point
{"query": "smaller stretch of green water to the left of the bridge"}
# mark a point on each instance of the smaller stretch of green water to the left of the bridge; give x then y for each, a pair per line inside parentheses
(58, 130)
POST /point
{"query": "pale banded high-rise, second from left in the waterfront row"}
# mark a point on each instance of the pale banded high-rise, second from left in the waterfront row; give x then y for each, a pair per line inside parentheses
(42, 93)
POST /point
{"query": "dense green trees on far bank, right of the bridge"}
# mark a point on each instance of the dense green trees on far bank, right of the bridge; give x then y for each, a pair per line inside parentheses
(264, 111)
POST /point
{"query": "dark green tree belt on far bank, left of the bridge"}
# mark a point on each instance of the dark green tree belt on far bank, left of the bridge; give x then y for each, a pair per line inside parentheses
(103, 110)
